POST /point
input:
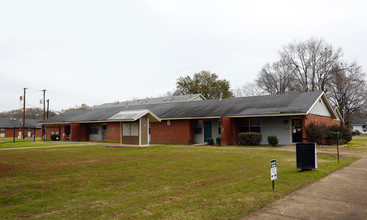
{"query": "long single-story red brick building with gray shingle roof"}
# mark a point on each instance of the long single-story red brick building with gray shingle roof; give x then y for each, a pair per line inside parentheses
(193, 120)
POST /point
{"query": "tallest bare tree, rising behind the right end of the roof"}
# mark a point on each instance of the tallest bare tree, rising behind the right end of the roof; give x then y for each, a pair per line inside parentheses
(303, 66)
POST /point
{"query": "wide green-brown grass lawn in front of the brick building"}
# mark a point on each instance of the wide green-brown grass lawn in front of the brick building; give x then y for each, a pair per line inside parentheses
(89, 182)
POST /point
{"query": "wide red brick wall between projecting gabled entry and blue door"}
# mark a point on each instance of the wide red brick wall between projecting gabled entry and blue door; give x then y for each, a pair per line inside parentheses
(179, 132)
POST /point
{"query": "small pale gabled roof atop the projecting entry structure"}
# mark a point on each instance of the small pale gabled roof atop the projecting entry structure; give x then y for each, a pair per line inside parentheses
(134, 115)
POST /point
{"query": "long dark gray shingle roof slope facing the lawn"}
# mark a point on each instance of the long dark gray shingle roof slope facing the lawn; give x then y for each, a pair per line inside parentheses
(295, 103)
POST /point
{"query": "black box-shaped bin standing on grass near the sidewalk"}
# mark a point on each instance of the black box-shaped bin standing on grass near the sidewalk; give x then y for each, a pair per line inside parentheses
(306, 156)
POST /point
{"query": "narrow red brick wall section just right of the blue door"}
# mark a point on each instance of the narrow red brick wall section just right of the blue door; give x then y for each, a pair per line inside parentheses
(229, 132)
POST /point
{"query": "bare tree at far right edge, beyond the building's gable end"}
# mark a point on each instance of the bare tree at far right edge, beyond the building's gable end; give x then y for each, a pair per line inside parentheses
(347, 90)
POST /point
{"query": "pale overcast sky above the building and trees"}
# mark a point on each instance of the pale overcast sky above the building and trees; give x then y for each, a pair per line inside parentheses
(95, 52)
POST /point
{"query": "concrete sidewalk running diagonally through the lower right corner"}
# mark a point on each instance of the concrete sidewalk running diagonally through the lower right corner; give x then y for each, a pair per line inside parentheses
(341, 195)
